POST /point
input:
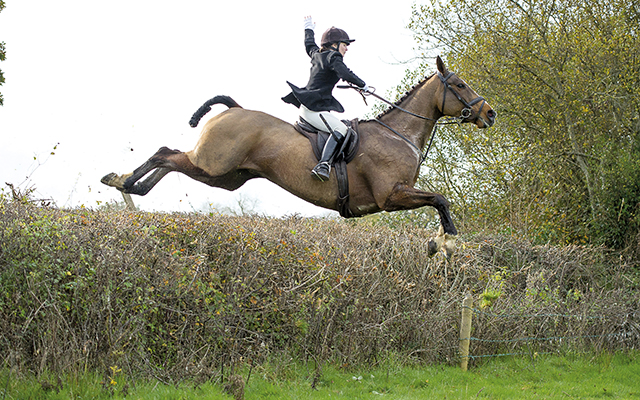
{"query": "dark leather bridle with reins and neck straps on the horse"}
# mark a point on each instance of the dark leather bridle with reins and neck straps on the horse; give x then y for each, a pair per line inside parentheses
(465, 113)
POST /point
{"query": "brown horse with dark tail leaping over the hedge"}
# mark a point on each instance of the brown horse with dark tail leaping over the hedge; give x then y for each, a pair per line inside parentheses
(239, 144)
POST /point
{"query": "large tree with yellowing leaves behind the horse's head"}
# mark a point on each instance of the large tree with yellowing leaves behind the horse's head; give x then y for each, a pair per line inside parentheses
(564, 75)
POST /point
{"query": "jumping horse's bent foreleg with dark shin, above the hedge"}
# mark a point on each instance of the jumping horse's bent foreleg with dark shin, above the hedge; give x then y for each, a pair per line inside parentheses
(405, 197)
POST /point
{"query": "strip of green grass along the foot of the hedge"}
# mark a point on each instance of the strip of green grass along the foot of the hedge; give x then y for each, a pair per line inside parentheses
(604, 376)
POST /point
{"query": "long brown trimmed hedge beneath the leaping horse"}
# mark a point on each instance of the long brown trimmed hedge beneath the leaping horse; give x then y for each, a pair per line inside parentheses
(176, 296)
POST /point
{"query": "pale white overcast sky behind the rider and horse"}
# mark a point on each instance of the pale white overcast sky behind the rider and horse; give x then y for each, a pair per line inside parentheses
(94, 87)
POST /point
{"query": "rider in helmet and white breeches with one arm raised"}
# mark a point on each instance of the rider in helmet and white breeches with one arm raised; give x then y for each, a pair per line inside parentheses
(316, 100)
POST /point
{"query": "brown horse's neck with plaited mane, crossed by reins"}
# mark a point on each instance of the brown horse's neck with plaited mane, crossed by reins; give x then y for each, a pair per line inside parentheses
(419, 102)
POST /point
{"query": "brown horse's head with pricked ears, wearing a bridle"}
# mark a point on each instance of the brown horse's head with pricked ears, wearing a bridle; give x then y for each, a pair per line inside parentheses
(459, 100)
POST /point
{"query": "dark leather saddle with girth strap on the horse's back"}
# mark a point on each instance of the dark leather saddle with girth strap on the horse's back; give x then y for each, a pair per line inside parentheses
(347, 152)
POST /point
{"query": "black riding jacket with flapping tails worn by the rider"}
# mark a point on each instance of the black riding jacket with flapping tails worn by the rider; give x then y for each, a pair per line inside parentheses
(327, 68)
